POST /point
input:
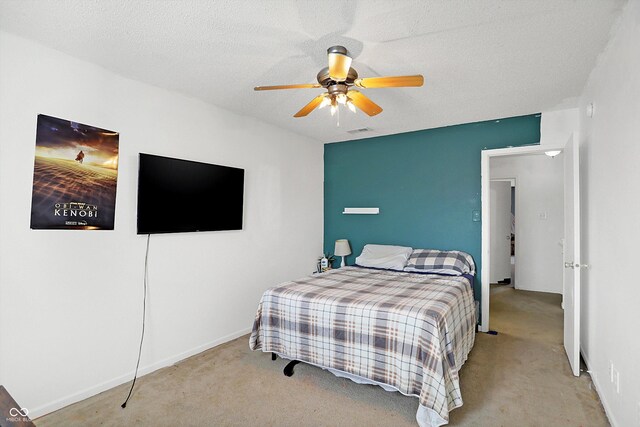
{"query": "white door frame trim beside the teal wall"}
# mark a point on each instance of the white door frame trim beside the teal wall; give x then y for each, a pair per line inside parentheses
(485, 179)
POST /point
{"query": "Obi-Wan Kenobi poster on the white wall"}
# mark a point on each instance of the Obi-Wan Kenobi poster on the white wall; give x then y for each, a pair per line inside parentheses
(75, 176)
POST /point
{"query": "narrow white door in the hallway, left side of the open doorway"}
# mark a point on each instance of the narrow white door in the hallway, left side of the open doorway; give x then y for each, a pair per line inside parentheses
(500, 203)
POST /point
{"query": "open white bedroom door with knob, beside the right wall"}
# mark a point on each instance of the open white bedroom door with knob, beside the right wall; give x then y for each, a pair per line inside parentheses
(572, 262)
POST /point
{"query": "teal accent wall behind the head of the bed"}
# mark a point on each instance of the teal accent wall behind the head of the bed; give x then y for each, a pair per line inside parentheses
(426, 184)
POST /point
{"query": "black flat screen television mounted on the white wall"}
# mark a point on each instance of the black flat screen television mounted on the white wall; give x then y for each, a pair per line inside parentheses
(181, 196)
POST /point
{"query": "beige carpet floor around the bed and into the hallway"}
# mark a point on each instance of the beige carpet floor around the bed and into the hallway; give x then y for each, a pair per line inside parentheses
(520, 377)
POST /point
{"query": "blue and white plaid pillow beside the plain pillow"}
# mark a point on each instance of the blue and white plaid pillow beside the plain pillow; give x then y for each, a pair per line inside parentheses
(436, 261)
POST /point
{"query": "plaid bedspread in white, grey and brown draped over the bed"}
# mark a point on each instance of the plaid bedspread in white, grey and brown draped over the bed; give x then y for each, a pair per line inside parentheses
(410, 331)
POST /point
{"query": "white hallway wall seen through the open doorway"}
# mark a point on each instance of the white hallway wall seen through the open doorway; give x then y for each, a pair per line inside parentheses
(539, 190)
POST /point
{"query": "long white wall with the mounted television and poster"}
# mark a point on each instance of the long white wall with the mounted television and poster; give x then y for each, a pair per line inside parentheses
(71, 301)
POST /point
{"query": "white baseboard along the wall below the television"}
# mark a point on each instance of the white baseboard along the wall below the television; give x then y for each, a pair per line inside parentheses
(144, 370)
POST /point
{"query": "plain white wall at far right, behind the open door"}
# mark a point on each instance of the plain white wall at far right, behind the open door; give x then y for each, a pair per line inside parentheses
(610, 149)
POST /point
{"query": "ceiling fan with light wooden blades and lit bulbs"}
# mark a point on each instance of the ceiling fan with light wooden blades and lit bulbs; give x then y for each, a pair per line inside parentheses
(339, 79)
